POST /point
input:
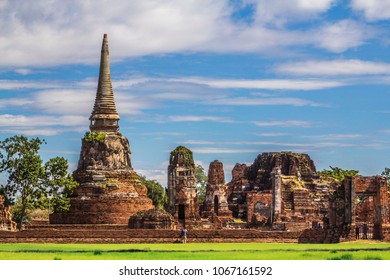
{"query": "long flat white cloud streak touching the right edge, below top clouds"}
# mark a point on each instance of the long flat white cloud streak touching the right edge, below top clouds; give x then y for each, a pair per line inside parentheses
(335, 68)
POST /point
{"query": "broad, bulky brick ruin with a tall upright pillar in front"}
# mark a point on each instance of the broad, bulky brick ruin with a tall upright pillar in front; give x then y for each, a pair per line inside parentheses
(280, 190)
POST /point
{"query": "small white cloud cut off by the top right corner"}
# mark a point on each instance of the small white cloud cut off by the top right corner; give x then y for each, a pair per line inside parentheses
(373, 9)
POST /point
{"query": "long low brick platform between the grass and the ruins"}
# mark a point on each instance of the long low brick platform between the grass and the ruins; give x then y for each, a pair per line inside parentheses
(122, 234)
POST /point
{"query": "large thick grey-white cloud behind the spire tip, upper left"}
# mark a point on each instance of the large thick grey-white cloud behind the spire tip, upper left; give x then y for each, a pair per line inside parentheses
(42, 33)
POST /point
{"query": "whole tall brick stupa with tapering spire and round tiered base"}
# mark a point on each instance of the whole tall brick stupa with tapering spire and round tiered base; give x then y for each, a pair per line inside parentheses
(109, 190)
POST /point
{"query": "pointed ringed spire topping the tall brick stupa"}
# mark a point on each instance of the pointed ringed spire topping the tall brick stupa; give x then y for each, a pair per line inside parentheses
(104, 117)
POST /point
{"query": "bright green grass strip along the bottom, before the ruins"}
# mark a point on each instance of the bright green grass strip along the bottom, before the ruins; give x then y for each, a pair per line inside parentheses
(197, 251)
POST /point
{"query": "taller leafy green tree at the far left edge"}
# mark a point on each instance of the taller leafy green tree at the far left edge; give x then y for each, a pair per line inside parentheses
(20, 159)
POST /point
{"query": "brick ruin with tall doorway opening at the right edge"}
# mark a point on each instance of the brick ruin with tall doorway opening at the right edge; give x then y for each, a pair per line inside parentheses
(358, 209)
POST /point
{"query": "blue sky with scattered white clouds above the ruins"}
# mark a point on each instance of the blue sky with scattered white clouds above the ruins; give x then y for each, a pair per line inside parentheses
(227, 79)
